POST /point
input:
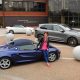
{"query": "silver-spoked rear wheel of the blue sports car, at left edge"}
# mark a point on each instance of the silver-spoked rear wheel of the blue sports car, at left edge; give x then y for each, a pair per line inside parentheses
(5, 63)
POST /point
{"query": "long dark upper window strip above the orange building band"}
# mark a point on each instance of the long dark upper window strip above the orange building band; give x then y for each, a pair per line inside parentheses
(27, 6)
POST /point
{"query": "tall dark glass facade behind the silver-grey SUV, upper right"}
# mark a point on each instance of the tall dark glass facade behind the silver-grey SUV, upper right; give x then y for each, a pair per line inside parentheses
(65, 11)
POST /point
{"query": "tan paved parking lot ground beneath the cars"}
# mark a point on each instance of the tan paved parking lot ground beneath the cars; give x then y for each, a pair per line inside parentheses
(66, 68)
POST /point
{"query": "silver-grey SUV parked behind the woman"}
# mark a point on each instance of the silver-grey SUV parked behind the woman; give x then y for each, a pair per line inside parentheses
(59, 33)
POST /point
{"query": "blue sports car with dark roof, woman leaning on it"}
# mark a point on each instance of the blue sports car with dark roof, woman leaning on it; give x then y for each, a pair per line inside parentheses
(24, 50)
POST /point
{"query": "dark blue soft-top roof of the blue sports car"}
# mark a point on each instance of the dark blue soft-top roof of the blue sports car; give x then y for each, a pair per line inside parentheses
(20, 42)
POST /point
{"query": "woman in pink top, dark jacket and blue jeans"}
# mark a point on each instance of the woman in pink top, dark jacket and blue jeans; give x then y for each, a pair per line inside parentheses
(44, 44)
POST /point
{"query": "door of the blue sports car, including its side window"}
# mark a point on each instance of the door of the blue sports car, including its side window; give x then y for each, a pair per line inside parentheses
(28, 53)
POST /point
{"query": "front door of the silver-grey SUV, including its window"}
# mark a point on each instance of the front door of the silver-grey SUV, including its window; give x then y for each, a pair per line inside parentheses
(58, 33)
